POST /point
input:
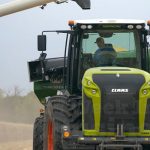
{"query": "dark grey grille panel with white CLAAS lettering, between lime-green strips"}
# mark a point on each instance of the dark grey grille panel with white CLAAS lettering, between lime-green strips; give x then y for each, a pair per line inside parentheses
(119, 101)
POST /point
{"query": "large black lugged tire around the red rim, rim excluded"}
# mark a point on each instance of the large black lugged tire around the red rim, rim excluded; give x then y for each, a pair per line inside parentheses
(62, 110)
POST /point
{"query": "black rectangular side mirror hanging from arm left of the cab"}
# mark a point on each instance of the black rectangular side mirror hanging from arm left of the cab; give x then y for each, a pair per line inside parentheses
(41, 42)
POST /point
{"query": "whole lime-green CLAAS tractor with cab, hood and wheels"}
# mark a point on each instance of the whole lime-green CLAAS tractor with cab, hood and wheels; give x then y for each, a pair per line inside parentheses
(94, 98)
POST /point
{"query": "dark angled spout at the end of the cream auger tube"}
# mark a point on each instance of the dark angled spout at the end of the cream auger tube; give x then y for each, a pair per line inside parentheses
(84, 4)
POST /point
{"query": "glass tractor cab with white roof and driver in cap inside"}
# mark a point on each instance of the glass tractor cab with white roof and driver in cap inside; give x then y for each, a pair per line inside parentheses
(107, 43)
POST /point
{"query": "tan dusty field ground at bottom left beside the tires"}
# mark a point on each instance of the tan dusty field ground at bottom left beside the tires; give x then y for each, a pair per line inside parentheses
(15, 136)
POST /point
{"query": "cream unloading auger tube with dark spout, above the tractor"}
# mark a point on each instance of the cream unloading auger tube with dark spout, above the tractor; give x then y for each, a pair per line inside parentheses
(20, 5)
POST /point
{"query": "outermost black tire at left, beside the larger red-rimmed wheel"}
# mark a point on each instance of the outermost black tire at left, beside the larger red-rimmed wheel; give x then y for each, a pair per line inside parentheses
(38, 134)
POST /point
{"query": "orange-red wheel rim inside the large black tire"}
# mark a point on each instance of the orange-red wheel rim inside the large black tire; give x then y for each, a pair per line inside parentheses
(50, 136)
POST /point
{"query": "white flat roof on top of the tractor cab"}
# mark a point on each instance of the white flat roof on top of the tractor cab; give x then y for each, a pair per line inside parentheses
(110, 21)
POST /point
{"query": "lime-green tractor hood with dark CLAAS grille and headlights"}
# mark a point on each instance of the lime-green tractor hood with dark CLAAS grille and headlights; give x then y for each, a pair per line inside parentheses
(116, 96)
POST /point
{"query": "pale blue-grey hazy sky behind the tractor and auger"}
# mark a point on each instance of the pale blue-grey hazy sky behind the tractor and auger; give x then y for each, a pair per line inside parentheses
(18, 40)
